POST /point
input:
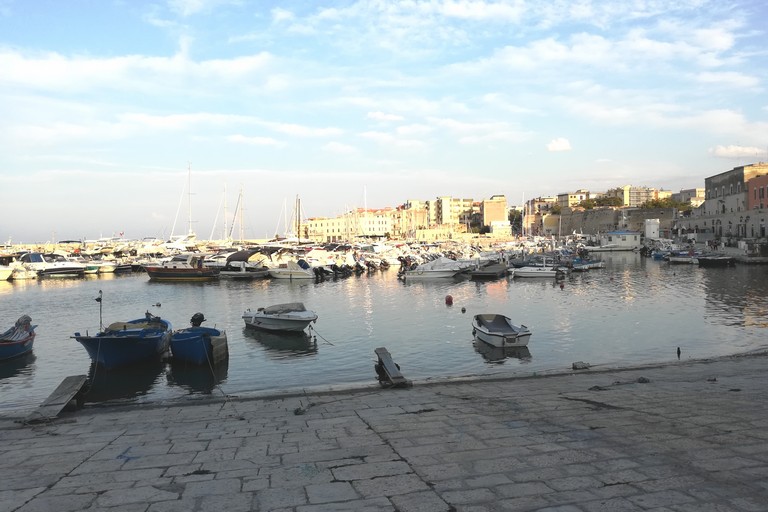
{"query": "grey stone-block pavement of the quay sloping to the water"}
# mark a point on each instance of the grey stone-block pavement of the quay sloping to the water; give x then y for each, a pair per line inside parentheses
(687, 436)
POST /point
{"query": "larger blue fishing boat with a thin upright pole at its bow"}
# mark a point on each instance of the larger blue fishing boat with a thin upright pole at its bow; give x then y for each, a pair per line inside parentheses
(123, 343)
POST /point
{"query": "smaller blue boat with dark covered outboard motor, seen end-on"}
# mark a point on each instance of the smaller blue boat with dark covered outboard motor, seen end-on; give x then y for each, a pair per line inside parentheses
(199, 345)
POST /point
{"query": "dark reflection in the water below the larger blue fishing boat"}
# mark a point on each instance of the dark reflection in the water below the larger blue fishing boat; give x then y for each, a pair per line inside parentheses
(125, 383)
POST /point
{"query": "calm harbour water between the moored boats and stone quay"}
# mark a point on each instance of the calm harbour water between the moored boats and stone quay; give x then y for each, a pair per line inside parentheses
(632, 312)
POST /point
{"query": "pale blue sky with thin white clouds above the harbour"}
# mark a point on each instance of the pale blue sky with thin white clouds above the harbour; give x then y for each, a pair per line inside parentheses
(152, 118)
